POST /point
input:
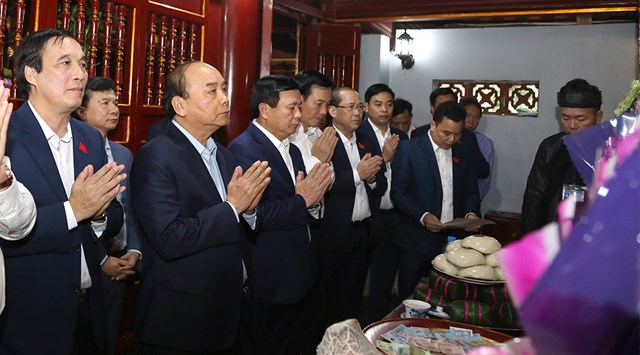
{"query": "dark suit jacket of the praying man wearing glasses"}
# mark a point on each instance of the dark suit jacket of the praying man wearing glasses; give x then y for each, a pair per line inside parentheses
(339, 199)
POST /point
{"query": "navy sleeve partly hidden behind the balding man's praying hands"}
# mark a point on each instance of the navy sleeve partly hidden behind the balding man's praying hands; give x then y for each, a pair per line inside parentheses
(272, 213)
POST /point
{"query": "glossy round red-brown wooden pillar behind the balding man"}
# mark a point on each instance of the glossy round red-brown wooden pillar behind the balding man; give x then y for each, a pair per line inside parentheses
(241, 52)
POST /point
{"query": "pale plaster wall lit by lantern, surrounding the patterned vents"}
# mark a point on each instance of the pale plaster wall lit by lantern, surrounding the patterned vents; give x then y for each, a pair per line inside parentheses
(605, 55)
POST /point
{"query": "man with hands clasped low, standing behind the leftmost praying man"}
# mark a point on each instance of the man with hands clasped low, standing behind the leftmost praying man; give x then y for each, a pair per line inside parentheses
(100, 110)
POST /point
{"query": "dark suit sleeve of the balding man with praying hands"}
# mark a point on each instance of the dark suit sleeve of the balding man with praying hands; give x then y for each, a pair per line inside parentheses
(156, 189)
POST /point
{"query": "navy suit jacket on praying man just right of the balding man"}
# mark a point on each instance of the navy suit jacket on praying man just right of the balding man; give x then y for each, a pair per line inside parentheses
(283, 268)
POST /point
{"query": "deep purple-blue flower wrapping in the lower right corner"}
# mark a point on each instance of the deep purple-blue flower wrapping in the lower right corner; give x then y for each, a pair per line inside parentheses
(587, 301)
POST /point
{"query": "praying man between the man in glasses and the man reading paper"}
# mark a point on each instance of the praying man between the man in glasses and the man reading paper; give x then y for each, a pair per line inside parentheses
(384, 261)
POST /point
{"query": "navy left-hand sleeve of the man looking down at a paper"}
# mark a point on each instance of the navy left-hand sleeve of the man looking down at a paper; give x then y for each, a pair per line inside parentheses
(402, 192)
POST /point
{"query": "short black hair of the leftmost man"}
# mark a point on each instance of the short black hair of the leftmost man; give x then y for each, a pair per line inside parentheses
(29, 53)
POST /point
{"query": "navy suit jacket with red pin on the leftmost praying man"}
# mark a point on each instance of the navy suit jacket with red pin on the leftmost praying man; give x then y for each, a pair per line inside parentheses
(43, 269)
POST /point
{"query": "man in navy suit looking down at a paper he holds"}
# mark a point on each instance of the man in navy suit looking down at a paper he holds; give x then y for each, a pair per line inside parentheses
(432, 185)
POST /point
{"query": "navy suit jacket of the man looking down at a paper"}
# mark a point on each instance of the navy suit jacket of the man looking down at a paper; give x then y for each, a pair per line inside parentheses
(416, 188)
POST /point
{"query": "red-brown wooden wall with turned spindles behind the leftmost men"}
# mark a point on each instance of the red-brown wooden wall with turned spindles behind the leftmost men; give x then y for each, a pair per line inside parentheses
(135, 42)
